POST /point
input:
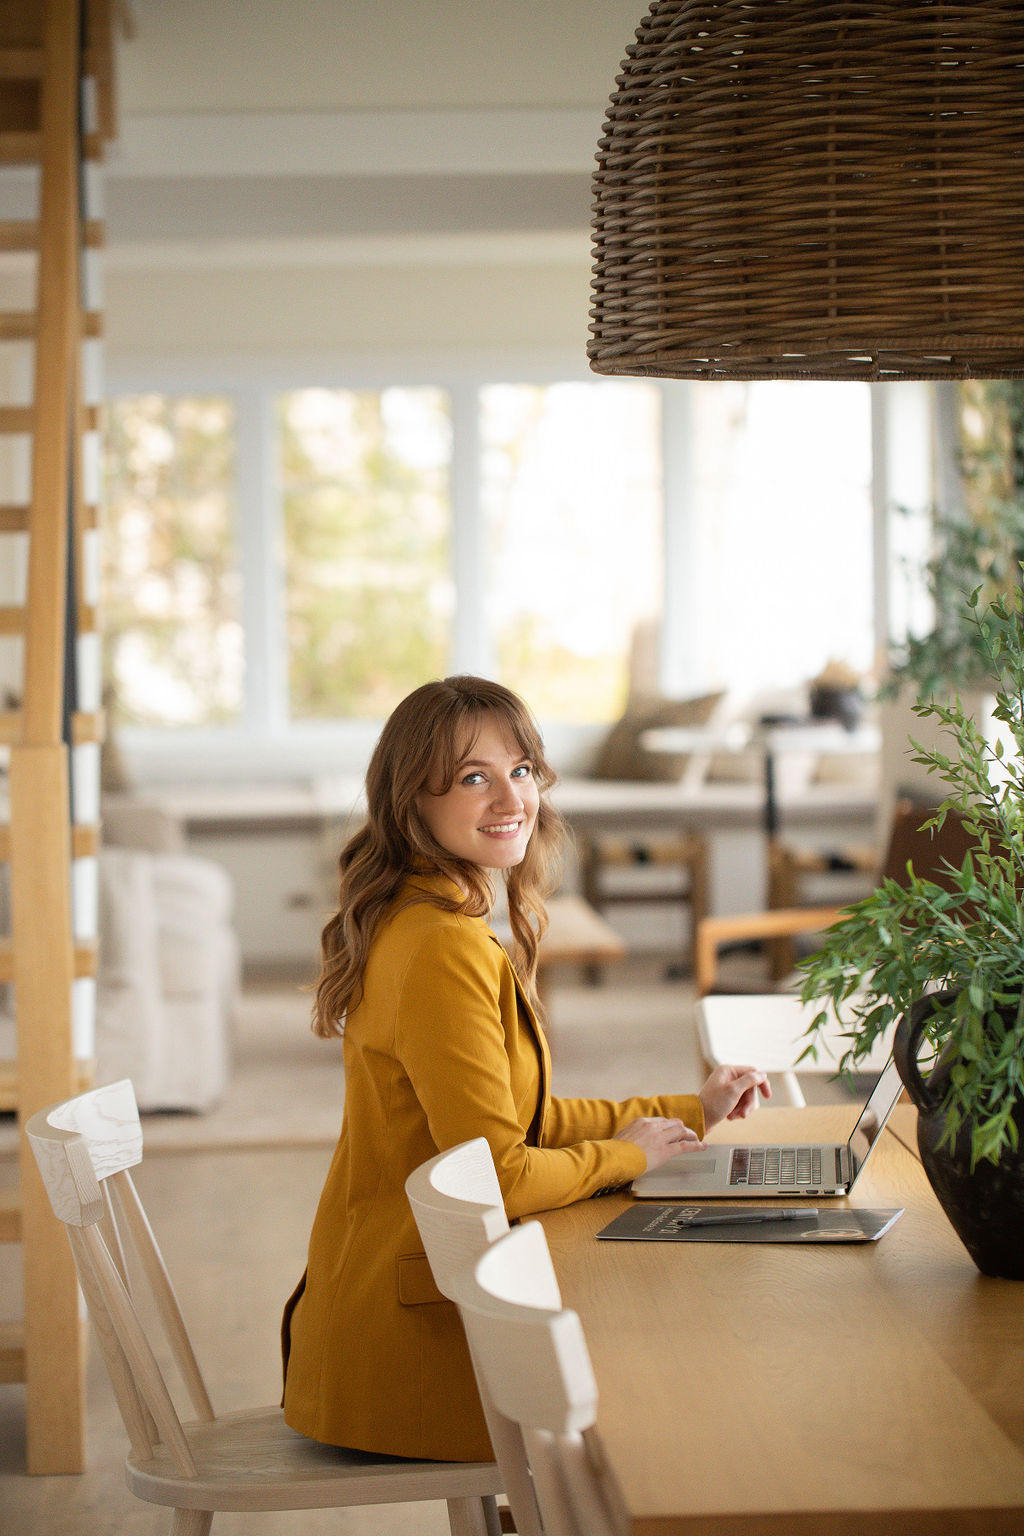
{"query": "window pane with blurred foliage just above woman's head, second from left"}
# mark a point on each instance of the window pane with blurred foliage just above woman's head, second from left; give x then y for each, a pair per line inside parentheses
(365, 482)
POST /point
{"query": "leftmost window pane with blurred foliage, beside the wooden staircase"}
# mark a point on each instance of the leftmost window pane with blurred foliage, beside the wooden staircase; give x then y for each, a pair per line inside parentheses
(171, 580)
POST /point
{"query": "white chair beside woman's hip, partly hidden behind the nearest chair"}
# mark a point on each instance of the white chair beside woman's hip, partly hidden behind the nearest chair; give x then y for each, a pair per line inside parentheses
(458, 1207)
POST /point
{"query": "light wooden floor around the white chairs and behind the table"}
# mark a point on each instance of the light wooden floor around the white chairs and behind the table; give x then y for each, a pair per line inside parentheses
(234, 1226)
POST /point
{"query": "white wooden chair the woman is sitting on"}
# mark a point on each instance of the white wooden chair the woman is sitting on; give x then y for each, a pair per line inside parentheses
(248, 1460)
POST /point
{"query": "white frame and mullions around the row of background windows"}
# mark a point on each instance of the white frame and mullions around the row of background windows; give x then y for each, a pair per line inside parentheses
(266, 743)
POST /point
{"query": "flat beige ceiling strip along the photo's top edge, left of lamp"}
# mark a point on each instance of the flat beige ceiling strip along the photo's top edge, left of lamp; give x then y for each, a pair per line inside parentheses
(286, 56)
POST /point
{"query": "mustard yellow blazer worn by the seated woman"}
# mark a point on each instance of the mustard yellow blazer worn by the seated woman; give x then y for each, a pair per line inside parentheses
(441, 1048)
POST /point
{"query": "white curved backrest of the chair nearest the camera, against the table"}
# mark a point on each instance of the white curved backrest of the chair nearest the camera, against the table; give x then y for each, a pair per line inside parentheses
(533, 1360)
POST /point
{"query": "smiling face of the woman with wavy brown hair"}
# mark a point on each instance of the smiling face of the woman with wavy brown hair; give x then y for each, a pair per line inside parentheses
(489, 815)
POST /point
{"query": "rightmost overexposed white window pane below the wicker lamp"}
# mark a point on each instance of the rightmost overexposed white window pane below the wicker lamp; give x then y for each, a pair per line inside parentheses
(784, 521)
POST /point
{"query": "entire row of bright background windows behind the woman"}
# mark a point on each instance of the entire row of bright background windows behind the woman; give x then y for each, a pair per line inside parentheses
(564, 537)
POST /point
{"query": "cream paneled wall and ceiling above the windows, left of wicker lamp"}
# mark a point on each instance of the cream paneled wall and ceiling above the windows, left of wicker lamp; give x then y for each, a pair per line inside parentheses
(357, 177)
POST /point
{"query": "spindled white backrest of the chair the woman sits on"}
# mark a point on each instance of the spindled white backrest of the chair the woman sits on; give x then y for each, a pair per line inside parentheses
(85, 1150)
